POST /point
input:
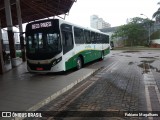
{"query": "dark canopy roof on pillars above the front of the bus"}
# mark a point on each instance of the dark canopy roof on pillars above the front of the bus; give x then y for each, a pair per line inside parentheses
(35, 9)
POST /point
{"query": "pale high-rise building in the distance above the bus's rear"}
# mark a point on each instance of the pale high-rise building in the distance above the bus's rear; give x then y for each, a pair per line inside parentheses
(98, 23)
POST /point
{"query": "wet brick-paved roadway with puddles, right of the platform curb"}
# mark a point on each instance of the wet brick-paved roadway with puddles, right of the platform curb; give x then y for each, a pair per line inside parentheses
(127, 89)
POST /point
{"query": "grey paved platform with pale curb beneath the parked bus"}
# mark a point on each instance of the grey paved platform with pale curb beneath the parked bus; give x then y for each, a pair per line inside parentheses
(21, 91)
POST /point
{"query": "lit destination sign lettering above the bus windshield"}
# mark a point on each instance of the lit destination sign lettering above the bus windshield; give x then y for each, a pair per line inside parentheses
(41, 25)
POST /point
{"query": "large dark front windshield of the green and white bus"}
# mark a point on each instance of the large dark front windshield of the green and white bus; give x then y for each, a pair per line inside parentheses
(46, 44)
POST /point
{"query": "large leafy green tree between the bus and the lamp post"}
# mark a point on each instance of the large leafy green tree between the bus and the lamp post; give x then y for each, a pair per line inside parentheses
(133, 33)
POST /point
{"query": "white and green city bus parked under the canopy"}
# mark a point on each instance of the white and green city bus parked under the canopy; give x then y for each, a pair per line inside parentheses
(54, 45)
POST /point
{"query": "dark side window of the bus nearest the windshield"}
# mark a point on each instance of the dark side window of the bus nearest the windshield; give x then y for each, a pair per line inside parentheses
(67, 38)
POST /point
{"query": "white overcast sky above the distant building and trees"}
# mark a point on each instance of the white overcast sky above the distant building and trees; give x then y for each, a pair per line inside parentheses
(114, 12)
